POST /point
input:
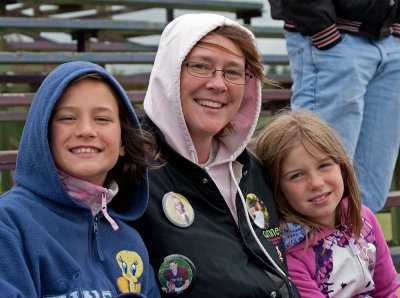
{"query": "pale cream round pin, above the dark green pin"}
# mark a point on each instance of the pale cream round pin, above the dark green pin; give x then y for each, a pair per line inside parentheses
(178, 209)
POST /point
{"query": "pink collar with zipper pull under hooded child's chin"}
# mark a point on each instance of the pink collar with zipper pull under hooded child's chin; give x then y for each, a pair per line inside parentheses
(95, 196)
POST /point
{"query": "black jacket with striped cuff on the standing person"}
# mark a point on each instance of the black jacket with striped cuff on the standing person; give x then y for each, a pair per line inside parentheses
(323, 19)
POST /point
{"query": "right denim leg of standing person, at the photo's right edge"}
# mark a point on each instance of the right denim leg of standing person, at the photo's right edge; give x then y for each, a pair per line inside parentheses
(379, 141)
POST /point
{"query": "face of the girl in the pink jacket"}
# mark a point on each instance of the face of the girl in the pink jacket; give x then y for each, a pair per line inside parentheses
(312, 183)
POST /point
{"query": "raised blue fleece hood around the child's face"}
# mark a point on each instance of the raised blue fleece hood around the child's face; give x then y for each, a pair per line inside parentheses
(35, 169)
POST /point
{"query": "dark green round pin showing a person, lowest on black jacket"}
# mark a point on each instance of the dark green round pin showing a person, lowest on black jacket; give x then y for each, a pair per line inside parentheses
(176, 274)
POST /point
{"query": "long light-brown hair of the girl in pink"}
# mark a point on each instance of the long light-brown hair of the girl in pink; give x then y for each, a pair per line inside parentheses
(278, 138)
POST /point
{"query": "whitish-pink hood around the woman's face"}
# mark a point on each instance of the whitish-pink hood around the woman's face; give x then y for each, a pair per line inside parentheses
(163, 106)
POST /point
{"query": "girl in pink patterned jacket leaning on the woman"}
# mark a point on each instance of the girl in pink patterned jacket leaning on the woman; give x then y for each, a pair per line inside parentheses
(334, 244)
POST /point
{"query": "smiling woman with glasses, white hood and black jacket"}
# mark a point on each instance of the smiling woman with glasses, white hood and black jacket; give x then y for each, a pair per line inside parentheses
(202, 105)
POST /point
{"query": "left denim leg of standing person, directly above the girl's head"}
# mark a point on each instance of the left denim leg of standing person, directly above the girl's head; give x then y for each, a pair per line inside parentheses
(332, 83)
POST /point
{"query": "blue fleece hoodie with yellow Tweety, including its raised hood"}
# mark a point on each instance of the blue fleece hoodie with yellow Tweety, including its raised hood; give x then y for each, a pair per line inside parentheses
(49, 246)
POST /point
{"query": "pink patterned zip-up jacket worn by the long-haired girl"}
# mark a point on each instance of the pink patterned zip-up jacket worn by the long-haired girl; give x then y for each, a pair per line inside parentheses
(340, 266)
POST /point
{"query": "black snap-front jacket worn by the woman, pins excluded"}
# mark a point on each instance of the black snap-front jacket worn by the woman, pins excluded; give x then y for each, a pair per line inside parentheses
(227, 260)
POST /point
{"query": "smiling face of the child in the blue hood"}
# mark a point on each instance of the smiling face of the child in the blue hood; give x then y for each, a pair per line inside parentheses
(85, 131)
